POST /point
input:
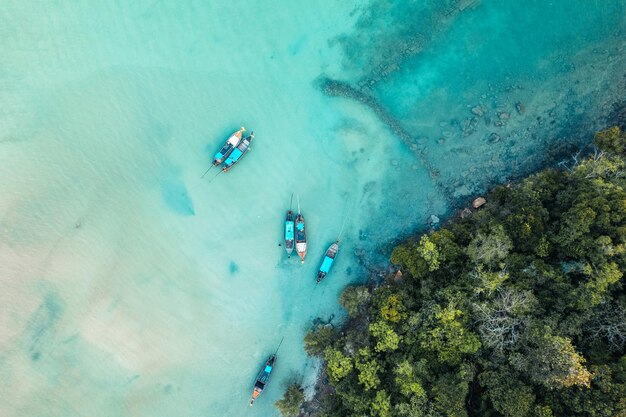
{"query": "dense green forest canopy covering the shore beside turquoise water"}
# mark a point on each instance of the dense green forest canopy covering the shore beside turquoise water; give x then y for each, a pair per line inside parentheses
(517, 310)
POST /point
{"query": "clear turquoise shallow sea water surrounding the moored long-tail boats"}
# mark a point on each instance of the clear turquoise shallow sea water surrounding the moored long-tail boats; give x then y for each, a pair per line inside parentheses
(129, 287)
